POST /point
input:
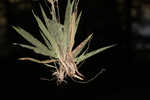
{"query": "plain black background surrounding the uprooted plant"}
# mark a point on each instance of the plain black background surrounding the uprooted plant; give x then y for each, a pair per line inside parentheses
(127, 68)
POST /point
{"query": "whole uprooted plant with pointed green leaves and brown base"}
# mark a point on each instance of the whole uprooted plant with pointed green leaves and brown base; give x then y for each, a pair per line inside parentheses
(59, 39)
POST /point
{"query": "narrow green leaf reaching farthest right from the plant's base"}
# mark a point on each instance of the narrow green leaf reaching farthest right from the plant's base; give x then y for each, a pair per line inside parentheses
(83, 57)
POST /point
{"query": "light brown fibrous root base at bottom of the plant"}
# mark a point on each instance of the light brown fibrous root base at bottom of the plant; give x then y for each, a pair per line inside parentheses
(67, 68)
